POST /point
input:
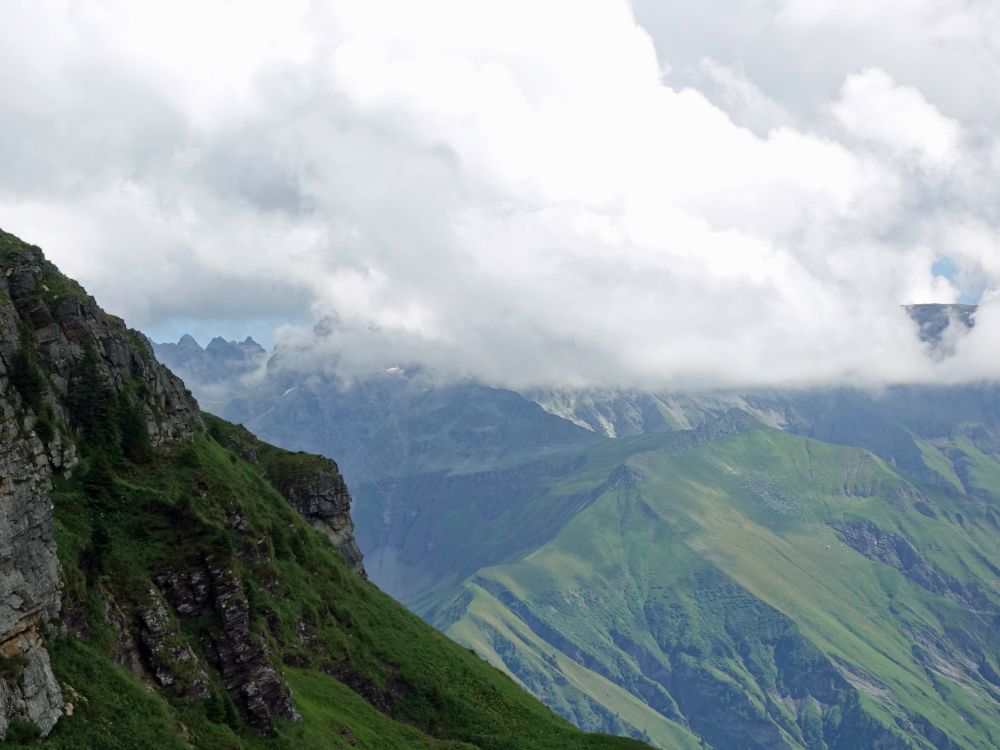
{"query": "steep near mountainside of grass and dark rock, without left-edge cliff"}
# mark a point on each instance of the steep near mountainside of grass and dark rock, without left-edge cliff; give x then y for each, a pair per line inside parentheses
(198, 608)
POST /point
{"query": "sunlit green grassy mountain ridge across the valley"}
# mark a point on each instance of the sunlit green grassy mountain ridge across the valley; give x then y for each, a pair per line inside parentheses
(759, 590)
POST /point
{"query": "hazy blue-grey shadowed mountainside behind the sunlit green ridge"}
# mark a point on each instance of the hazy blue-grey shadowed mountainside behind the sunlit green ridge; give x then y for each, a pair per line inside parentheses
(464, 447)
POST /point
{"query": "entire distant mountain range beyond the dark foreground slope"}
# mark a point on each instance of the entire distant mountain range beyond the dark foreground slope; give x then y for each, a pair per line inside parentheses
(795, 569)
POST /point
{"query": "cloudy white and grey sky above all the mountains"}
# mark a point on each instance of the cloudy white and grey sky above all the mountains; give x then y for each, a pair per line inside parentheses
(665, 193)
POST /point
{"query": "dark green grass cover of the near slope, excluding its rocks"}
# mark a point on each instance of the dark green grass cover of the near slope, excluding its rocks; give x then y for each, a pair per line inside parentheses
(335, 628)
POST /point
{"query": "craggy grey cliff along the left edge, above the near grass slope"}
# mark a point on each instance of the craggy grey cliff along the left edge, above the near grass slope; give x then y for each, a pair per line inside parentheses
(57, 332)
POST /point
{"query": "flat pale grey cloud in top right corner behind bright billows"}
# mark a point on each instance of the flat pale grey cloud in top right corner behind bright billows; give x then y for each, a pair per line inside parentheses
(800, 51)
